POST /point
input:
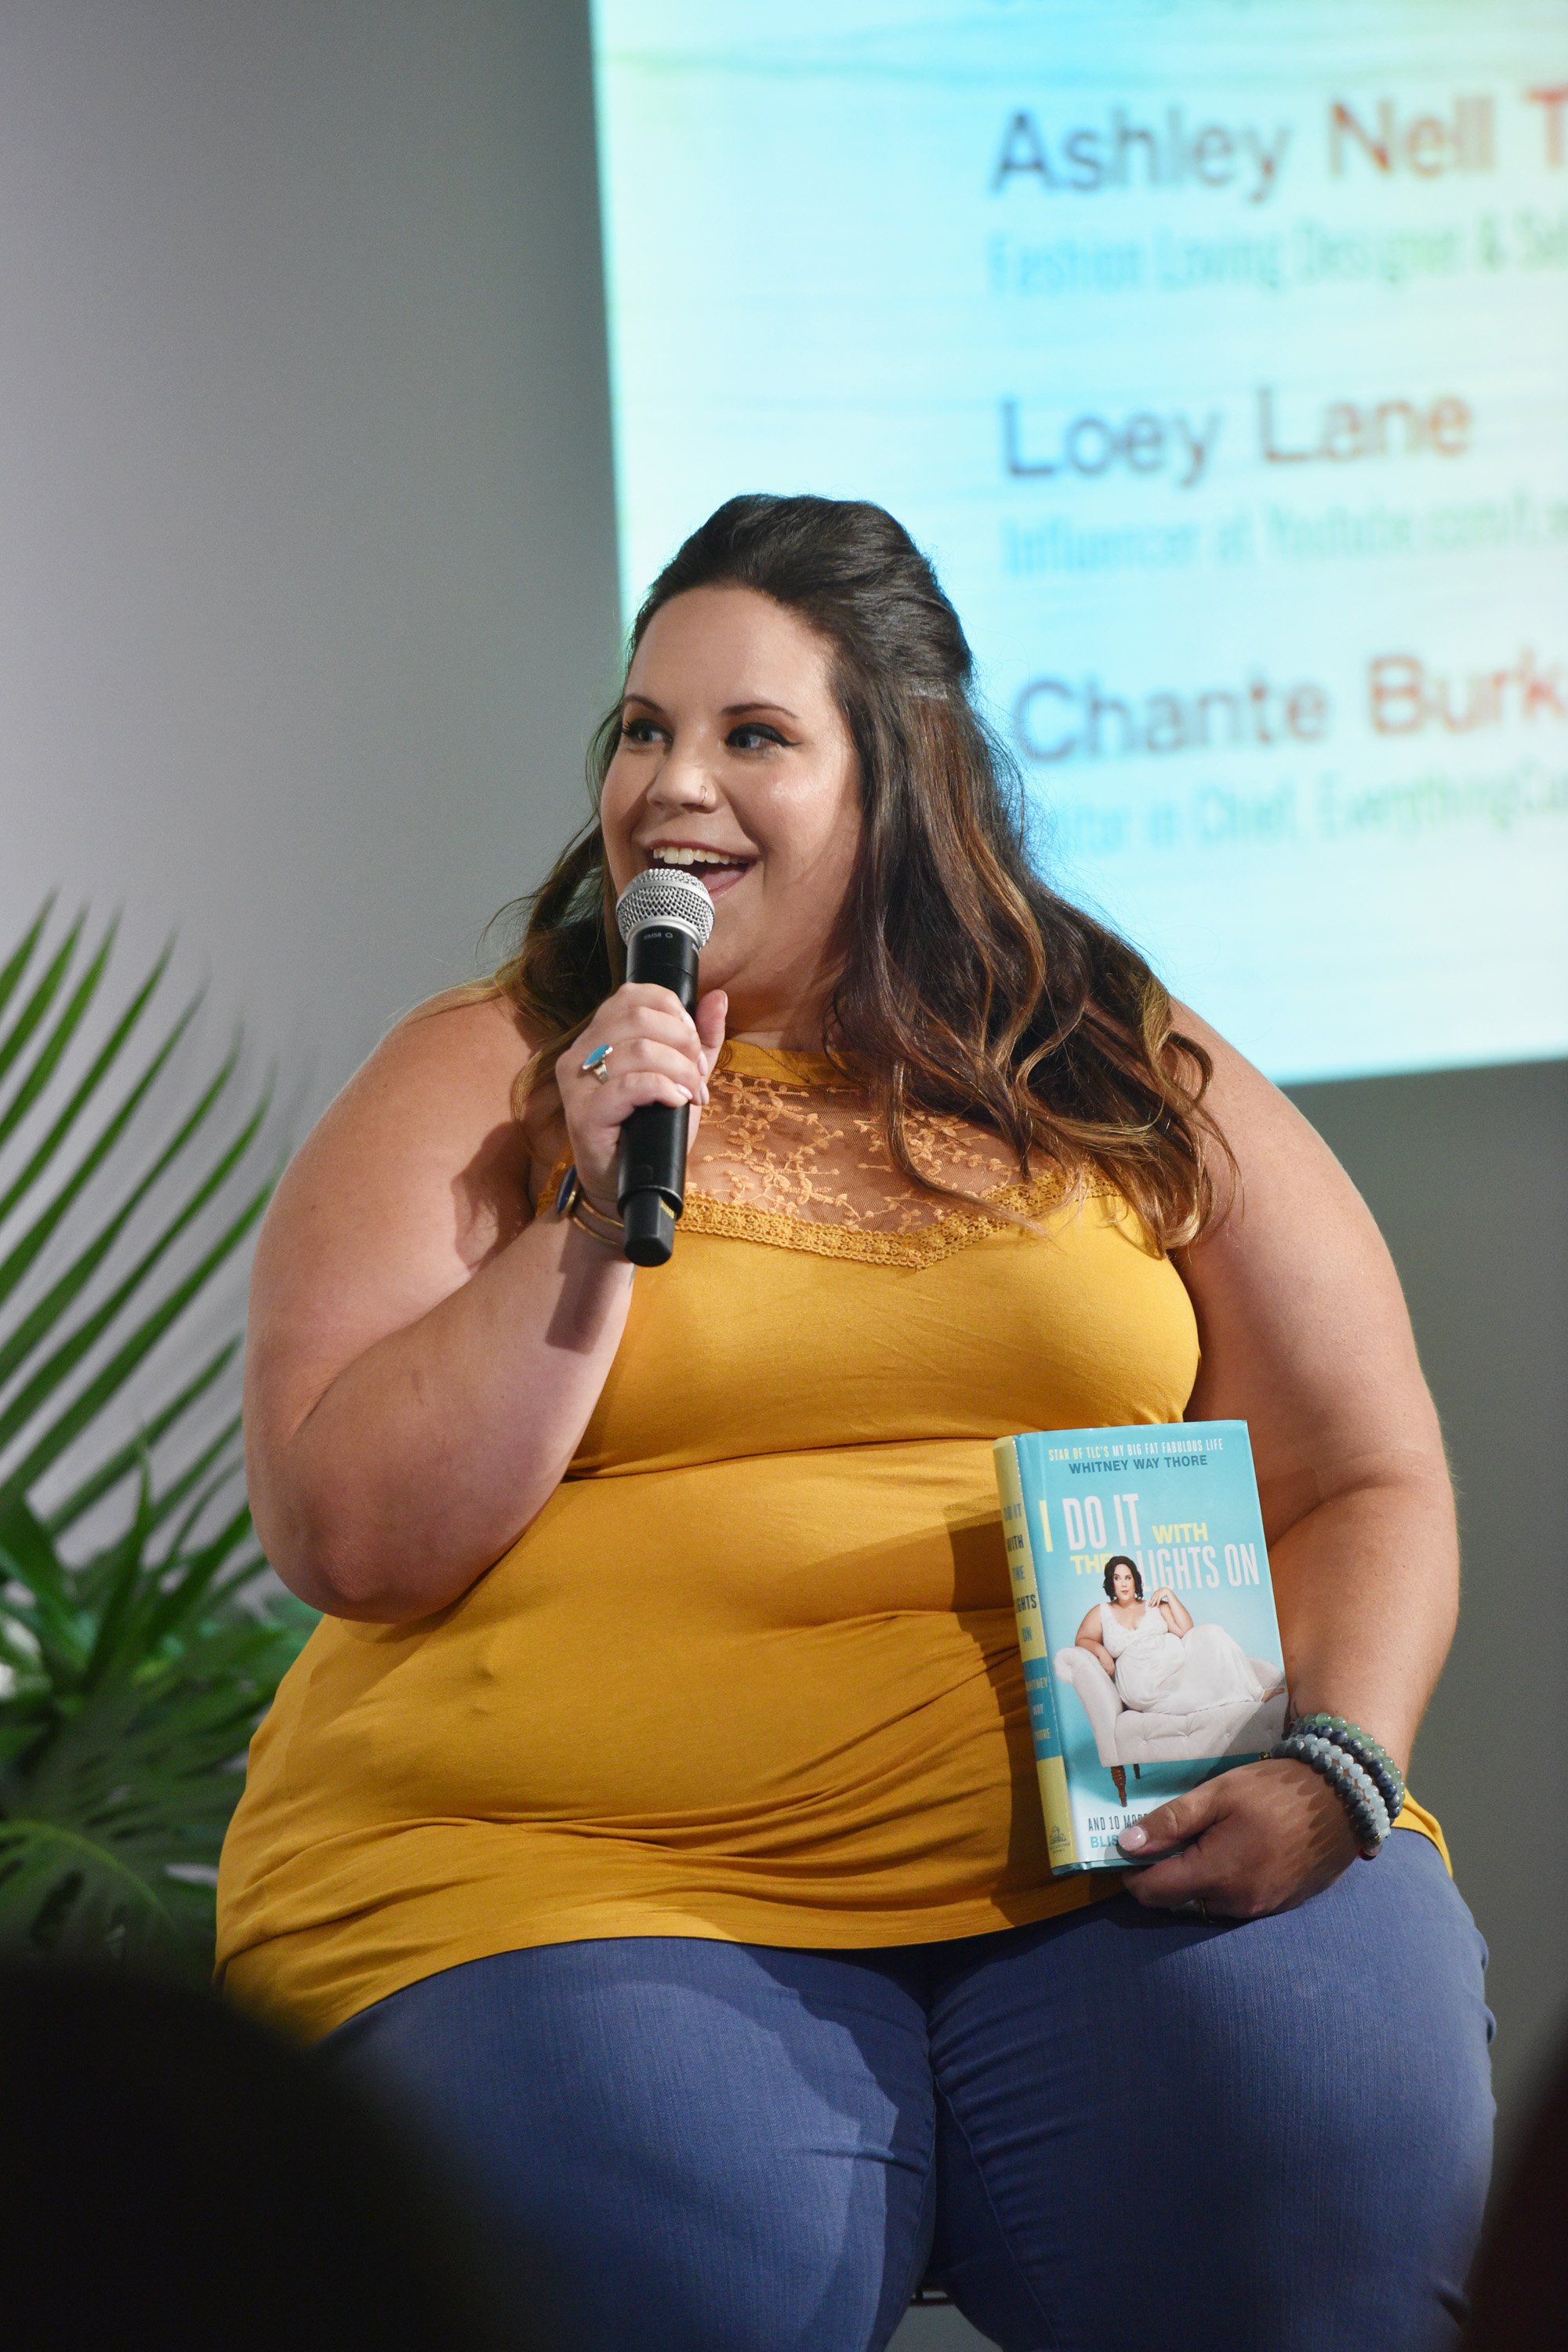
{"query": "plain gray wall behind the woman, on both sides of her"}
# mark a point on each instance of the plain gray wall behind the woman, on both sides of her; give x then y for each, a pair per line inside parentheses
(309, 599)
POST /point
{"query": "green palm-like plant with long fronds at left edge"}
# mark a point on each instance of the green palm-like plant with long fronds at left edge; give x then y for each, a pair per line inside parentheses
(140, 1641)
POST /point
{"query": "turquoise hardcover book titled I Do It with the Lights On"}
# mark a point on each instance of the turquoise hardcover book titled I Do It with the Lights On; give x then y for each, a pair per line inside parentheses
(1146, 1619)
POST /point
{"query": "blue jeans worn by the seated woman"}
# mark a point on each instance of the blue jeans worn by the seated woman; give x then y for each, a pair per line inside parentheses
(1115, 2132)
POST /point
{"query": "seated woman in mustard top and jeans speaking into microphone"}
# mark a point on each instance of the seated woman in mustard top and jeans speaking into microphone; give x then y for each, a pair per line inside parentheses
(657, 1800)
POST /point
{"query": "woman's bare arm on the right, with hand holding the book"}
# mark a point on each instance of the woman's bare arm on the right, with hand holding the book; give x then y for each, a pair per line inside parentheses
(1306, 1337)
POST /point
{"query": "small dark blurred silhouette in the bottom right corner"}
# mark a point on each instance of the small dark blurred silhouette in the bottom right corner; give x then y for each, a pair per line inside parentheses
(1520, 2287)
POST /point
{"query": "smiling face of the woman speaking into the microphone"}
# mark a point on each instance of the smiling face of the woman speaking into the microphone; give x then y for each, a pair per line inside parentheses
(737, 766)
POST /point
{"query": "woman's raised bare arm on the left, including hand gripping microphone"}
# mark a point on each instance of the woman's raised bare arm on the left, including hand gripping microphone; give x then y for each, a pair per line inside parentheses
(424, 1356)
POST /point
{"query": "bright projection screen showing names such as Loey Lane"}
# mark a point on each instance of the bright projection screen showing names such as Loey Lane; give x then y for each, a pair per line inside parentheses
(1219, 359)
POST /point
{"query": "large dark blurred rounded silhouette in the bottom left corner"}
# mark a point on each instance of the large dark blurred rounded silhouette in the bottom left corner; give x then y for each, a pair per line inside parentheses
(177, 2177)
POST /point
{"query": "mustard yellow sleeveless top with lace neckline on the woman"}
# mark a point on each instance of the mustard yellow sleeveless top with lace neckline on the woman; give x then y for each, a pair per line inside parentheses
(751, 1673)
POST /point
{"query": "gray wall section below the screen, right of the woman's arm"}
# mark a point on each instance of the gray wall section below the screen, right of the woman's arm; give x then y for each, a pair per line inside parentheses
(1466, 1175)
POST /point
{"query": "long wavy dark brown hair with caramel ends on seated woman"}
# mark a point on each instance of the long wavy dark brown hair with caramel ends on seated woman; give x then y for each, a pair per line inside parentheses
(965, 984)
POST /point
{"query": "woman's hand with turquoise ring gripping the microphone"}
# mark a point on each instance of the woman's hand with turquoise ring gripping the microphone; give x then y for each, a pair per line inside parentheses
(657, 1055)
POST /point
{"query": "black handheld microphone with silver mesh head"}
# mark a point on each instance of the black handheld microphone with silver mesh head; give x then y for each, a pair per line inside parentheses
(664, 921)
